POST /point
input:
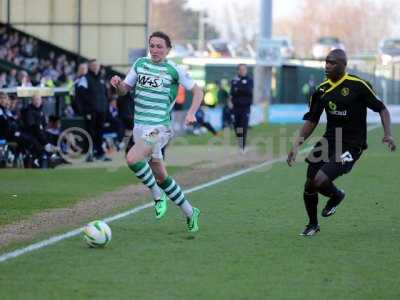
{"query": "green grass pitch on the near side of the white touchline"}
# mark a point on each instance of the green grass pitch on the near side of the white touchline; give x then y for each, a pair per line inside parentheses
(248, 246)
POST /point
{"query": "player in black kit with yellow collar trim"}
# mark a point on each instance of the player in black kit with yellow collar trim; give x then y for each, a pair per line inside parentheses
(345, 99)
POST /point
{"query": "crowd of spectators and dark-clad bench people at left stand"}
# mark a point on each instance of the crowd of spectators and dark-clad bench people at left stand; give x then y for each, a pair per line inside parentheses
(27, 129)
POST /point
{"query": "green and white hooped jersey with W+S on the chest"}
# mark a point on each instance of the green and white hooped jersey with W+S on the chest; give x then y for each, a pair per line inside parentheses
(156, 87)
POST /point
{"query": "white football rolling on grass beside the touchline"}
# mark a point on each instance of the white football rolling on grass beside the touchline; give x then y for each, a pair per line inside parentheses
(97, 234)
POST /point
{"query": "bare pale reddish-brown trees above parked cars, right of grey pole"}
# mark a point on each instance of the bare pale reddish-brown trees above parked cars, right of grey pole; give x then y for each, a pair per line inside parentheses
(360, 24)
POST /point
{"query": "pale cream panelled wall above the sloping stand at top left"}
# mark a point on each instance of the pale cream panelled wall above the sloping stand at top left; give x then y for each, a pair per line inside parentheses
(108, 28)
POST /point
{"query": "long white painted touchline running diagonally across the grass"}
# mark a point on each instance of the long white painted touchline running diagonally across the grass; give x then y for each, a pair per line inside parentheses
(75, 232)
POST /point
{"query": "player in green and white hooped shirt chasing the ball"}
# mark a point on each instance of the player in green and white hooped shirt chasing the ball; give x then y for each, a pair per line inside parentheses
(156, 81)
